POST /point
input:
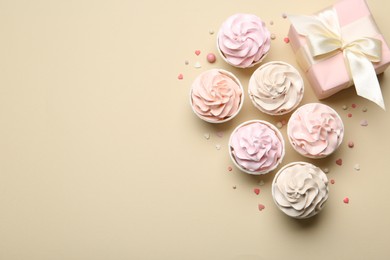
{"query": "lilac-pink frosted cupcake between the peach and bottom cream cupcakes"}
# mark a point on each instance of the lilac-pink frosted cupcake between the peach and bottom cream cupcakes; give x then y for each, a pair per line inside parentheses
(256, 147)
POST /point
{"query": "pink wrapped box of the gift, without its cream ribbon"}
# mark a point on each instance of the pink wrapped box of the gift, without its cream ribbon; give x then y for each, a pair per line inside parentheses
(331, 75)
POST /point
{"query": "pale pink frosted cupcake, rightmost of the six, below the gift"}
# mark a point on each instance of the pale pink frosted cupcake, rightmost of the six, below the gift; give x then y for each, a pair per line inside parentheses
(315, 130)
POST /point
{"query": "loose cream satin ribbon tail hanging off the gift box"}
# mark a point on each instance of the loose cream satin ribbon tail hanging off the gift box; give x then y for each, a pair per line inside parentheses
(364, 78)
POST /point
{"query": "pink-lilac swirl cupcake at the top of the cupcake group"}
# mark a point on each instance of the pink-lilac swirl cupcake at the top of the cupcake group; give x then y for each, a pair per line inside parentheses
(243, 40)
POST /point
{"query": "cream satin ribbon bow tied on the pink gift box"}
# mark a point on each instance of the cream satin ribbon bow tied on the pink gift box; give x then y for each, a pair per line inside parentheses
(323, 34)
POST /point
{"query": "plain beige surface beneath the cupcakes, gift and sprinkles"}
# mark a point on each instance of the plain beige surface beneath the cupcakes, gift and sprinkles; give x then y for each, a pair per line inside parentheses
(101, 156)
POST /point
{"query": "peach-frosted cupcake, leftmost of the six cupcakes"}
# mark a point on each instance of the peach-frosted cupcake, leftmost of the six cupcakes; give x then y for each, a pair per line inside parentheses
(216, 96)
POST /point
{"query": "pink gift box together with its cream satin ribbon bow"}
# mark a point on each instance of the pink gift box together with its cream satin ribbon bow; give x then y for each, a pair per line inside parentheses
(339, 47)
